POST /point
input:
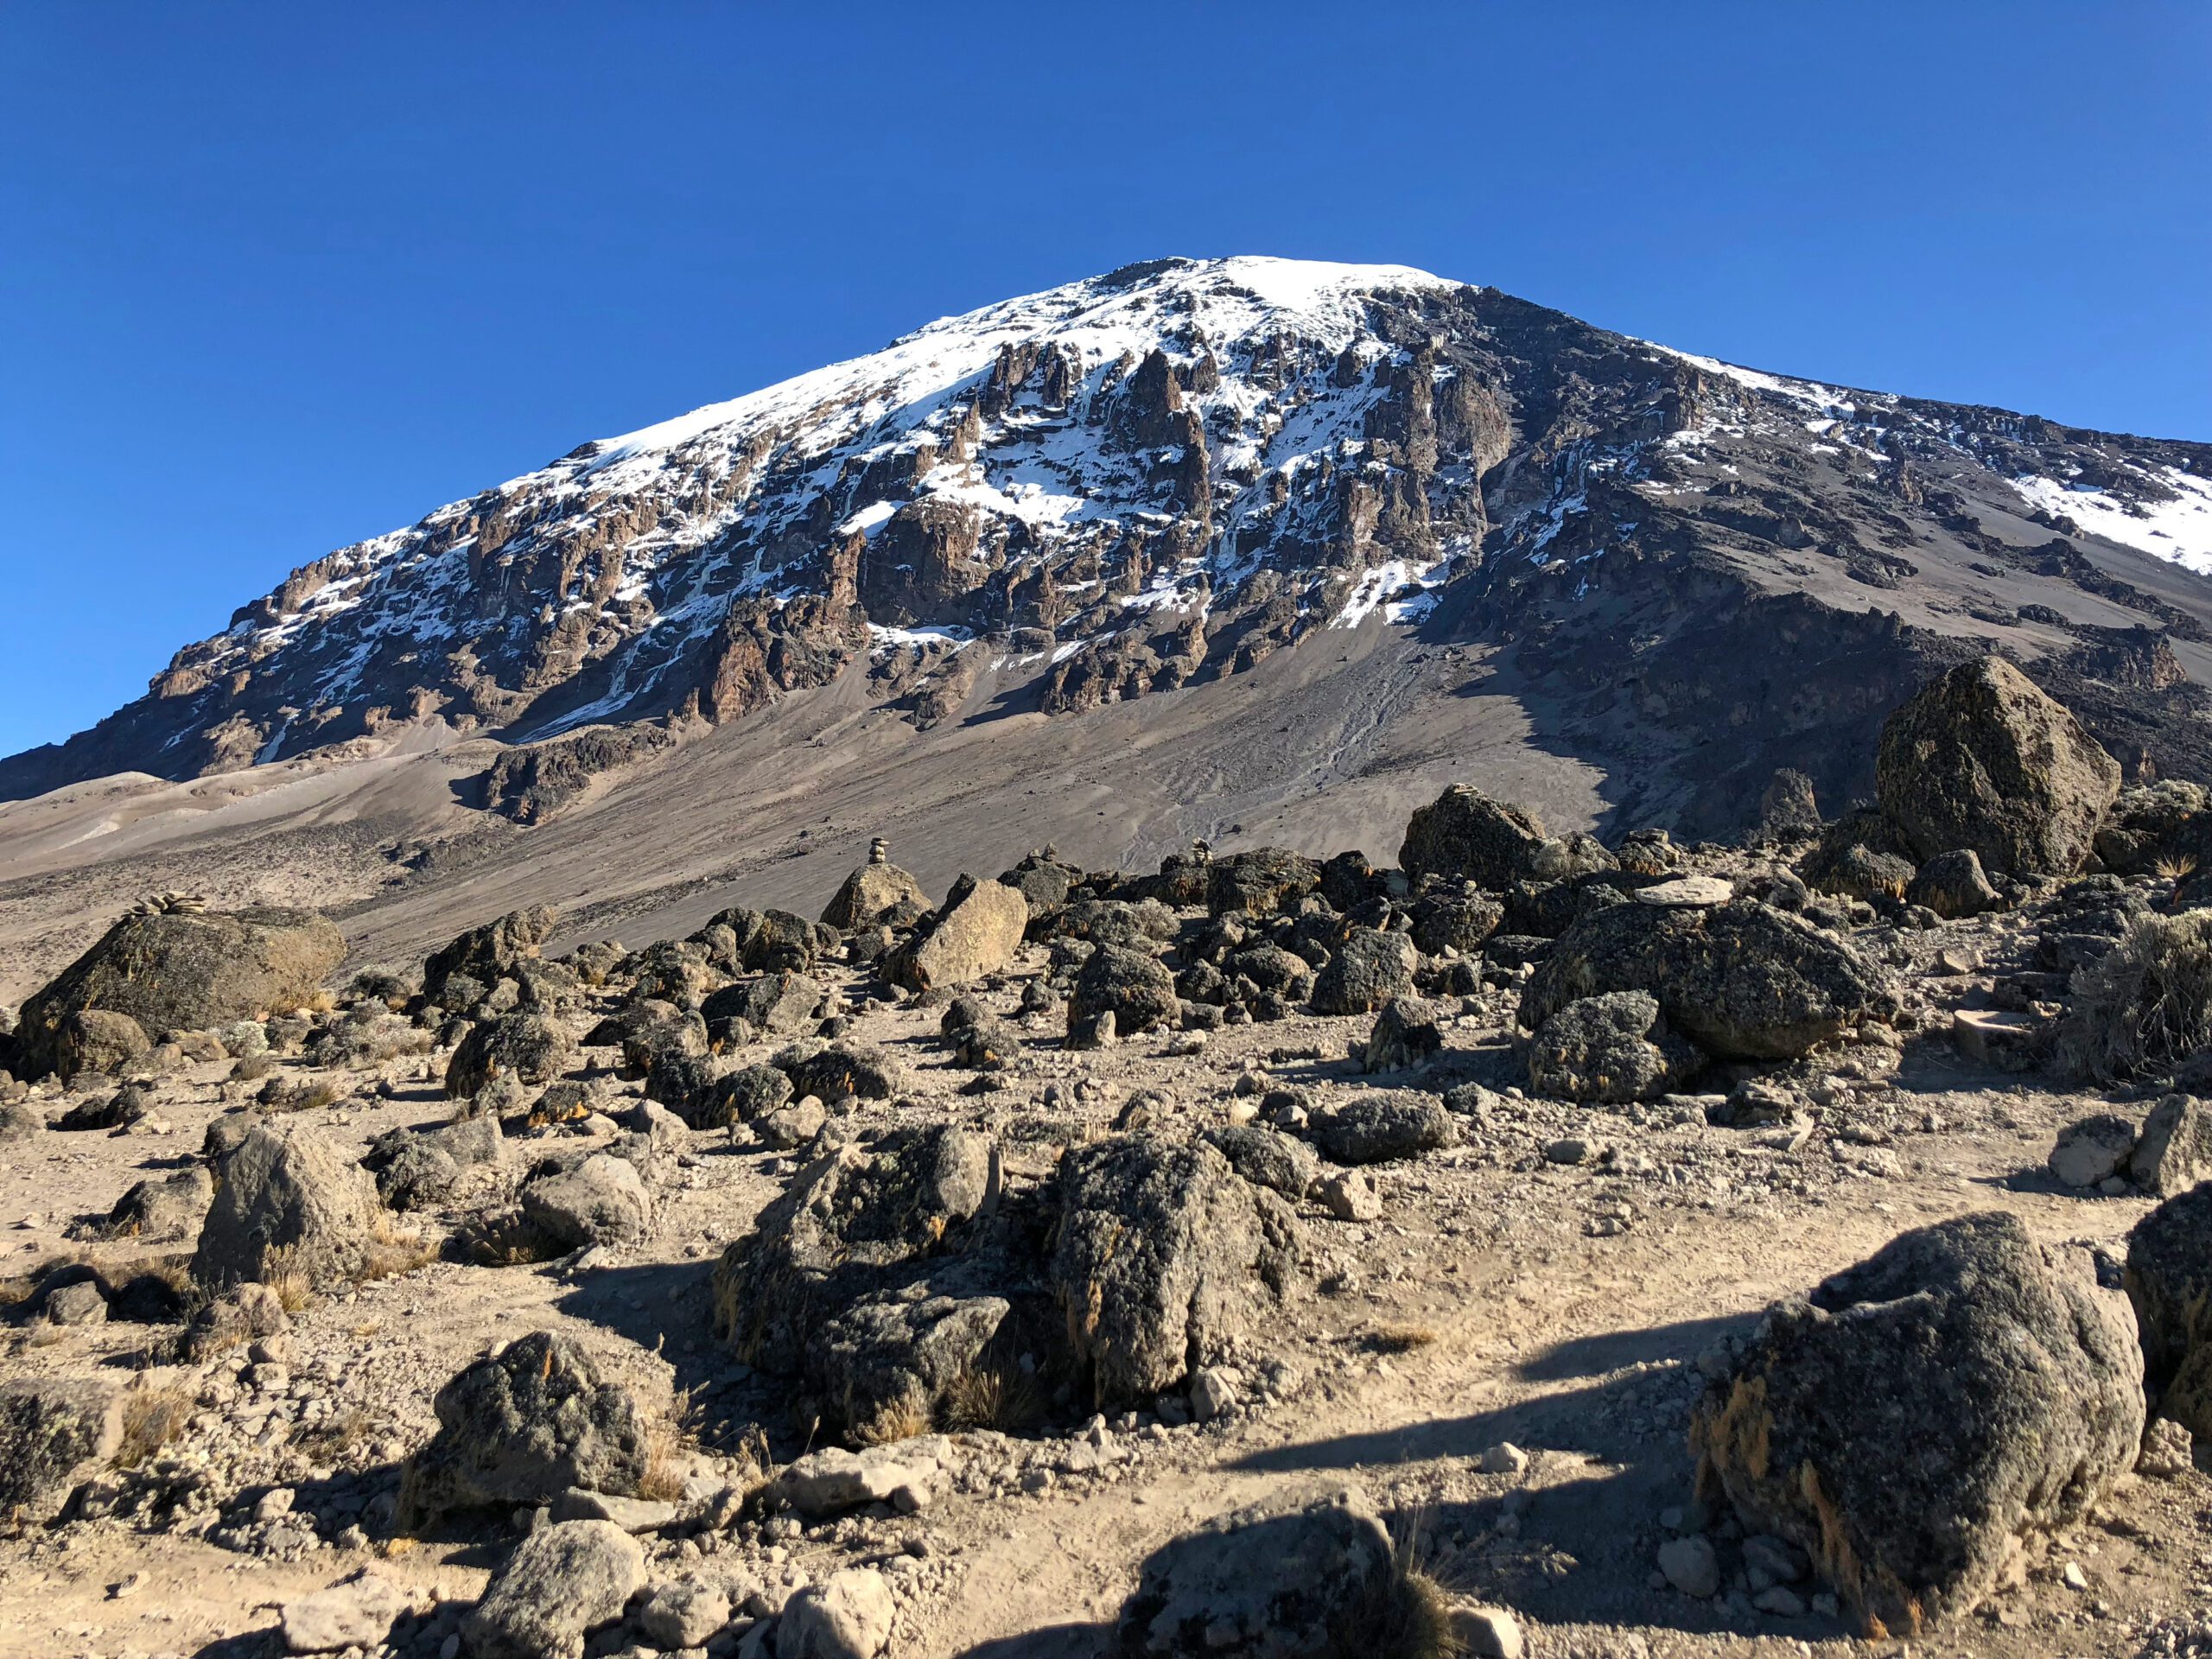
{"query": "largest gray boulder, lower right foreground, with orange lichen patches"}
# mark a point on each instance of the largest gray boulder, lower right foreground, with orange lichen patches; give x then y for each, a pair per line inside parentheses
(1919, 1415)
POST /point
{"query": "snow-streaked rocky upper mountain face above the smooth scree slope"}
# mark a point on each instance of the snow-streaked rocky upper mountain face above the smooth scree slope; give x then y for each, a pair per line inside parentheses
(1171, 472)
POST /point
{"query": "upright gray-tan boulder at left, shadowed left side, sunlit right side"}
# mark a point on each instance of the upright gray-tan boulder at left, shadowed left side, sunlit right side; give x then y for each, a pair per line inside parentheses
(286, 1202)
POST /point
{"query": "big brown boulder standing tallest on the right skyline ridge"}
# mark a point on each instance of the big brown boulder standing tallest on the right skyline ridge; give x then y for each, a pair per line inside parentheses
(1983, 760)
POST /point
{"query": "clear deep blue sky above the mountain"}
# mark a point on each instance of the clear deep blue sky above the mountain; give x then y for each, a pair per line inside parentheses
(282, 278)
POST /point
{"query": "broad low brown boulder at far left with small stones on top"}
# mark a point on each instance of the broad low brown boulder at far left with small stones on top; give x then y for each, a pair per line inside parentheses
(180, 972)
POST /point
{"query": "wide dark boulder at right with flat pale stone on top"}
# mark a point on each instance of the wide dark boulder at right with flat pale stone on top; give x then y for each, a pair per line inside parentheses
(1742, 981)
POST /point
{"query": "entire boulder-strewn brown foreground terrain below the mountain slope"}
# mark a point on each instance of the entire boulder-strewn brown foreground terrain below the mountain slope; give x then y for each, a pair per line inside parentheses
(1514, 1242)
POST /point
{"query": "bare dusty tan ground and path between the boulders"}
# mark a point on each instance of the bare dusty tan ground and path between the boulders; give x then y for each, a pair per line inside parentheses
(1550, 1284)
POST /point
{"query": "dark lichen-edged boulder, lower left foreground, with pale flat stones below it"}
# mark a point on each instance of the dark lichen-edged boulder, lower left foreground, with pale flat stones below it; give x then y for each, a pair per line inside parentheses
(525, 1426)
